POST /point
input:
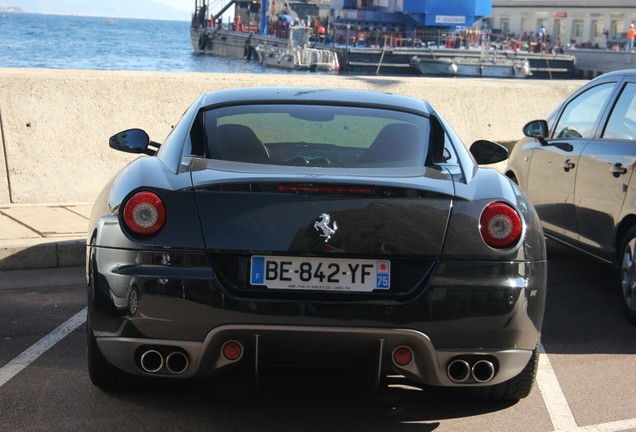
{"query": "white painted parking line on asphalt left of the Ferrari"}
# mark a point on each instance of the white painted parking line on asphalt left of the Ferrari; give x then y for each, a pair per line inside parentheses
(14, 367)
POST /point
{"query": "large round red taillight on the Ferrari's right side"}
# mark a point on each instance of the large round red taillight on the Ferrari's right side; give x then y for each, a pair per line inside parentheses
(500, 225)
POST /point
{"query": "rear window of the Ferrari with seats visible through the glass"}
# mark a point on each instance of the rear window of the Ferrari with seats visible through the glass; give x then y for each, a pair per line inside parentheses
(316, 135)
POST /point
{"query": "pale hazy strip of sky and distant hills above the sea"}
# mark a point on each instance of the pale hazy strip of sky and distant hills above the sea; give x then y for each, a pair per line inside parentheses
(145, 9)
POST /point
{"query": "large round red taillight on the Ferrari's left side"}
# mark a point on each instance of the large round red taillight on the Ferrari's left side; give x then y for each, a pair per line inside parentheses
(144, 213)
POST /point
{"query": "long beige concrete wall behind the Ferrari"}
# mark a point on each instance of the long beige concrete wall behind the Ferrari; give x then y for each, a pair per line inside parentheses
(55, 124)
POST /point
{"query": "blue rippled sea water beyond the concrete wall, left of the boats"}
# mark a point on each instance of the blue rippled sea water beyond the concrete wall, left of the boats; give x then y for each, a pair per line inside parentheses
(92, 43)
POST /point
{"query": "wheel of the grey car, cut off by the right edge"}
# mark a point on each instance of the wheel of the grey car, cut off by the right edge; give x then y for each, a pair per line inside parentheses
(627, 274)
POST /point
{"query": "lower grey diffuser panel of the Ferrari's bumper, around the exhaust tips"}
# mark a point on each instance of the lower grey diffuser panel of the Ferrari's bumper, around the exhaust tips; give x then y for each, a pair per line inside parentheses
(371, 349)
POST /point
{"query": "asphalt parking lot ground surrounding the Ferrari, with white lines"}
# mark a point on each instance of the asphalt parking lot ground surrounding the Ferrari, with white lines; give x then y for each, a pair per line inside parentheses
(585, 380)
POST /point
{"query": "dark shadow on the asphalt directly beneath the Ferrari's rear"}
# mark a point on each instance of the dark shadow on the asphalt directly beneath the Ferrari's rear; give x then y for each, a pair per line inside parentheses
(304, 400)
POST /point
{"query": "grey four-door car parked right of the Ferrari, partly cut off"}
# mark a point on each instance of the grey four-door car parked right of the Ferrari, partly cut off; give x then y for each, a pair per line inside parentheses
(577, 169)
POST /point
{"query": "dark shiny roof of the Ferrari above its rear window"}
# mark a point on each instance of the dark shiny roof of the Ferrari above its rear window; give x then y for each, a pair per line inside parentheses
(320, 95)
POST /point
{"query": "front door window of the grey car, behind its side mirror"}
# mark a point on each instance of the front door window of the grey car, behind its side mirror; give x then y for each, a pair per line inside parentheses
(579, 116)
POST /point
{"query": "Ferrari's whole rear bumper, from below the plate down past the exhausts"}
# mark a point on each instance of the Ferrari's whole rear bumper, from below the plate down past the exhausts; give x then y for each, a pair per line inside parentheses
(465, 311)
